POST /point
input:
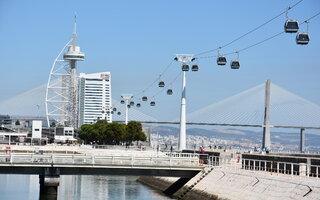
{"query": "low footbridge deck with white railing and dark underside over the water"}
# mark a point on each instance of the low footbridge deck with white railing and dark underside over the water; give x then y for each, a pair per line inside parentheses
(185, 167)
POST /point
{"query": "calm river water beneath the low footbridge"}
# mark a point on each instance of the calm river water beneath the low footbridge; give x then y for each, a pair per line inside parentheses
(26, 187)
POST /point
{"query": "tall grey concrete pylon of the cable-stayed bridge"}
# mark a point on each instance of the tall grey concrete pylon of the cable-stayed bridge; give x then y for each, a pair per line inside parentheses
(266, 127)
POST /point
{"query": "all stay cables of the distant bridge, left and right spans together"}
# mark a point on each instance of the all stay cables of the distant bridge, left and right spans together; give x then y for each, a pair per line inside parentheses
(287, 110)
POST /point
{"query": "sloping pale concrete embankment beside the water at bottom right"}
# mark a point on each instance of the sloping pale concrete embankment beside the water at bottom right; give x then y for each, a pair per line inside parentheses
(237, 184)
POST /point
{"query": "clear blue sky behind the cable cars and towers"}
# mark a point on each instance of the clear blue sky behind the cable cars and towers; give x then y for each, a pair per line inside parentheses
(135, 40)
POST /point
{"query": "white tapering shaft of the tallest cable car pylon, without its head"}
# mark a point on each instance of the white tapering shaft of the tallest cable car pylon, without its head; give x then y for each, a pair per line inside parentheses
(182, 136)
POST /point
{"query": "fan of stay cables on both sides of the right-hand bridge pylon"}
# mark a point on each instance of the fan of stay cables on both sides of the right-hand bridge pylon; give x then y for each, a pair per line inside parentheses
(247, 108)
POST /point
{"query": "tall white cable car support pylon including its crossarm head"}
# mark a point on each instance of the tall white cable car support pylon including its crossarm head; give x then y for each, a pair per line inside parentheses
(184, 58)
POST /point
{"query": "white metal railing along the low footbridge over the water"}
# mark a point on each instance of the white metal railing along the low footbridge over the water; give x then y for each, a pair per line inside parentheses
(176, 160)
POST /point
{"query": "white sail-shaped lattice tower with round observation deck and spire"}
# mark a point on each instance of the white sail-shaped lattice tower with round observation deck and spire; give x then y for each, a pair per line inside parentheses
(62, 87)
